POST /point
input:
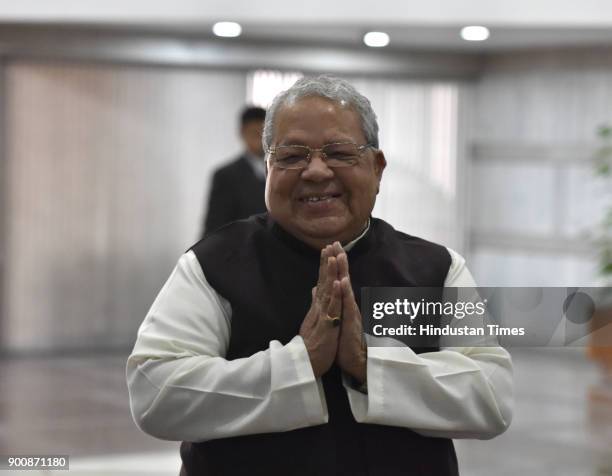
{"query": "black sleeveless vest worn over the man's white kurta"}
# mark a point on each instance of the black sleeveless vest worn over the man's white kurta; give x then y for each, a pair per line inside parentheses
(266, 275)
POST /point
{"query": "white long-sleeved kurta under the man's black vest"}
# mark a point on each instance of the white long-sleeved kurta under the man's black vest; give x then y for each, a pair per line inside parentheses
(182, 387)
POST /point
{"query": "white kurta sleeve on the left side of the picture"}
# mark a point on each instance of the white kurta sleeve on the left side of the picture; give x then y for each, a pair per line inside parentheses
(182, 388)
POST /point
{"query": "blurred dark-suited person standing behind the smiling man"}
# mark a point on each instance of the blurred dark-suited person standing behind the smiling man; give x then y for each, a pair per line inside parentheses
(237, 189)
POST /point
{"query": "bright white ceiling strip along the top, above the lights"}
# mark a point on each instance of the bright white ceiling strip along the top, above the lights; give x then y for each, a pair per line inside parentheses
(588, 13)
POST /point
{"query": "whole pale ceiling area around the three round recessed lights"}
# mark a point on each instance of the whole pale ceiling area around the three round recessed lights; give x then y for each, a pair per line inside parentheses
(433, 24)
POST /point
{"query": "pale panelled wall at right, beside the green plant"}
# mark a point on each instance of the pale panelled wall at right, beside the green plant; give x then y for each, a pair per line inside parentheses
(535, 202)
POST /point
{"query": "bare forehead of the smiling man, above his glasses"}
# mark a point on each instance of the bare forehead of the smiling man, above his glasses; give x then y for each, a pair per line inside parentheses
(316, 121)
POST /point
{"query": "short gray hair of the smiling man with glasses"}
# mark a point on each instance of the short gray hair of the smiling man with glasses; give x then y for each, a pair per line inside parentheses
(332, 88)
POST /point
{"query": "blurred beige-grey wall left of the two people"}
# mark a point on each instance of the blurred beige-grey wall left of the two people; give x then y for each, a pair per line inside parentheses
(107, 169)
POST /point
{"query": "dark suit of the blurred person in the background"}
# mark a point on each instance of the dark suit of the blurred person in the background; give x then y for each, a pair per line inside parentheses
(237, 192)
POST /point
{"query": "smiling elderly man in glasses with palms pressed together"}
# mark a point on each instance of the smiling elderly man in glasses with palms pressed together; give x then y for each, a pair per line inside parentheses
(253, 353)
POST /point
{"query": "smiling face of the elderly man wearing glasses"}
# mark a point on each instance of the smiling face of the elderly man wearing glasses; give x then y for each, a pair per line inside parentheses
(348, 193)
